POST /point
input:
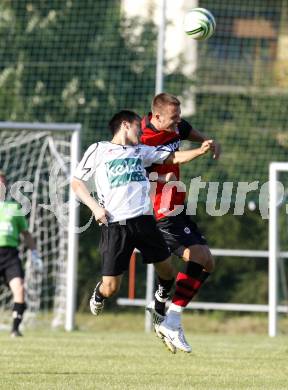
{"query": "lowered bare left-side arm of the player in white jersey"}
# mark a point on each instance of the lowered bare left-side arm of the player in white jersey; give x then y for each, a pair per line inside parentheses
(81, 190)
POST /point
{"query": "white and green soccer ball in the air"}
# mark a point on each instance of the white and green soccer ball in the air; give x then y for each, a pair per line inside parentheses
(199, 23)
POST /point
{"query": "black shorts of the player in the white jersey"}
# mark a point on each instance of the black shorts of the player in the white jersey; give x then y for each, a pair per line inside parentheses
(118, 242)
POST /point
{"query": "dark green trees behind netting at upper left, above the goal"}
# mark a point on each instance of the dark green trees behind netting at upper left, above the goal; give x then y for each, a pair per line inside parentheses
(60, 57)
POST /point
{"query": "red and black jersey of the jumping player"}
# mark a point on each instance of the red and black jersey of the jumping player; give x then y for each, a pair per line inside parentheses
(165, 201)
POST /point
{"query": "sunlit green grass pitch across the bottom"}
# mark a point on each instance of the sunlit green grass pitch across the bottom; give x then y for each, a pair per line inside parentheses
(113, 352)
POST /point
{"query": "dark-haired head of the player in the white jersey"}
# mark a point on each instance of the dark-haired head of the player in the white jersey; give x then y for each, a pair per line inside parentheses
(127, 123)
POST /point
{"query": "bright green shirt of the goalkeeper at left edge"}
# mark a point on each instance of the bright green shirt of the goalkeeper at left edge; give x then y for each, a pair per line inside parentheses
(11, 225)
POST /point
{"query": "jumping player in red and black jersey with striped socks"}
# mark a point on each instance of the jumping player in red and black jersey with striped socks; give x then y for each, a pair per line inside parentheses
(164, 126)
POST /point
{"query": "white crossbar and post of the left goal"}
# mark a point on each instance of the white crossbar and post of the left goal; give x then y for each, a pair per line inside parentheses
(72, 253)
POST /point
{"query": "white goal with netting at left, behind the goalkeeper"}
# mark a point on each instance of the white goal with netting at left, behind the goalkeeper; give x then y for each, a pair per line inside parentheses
(37, 159)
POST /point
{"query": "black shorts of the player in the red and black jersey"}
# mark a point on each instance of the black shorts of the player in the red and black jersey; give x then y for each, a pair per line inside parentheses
(180, 231)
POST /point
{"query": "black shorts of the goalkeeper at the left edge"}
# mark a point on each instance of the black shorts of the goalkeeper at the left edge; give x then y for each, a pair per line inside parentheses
(10, 264)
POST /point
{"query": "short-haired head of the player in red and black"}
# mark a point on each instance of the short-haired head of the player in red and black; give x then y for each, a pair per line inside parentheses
(166, 111)
